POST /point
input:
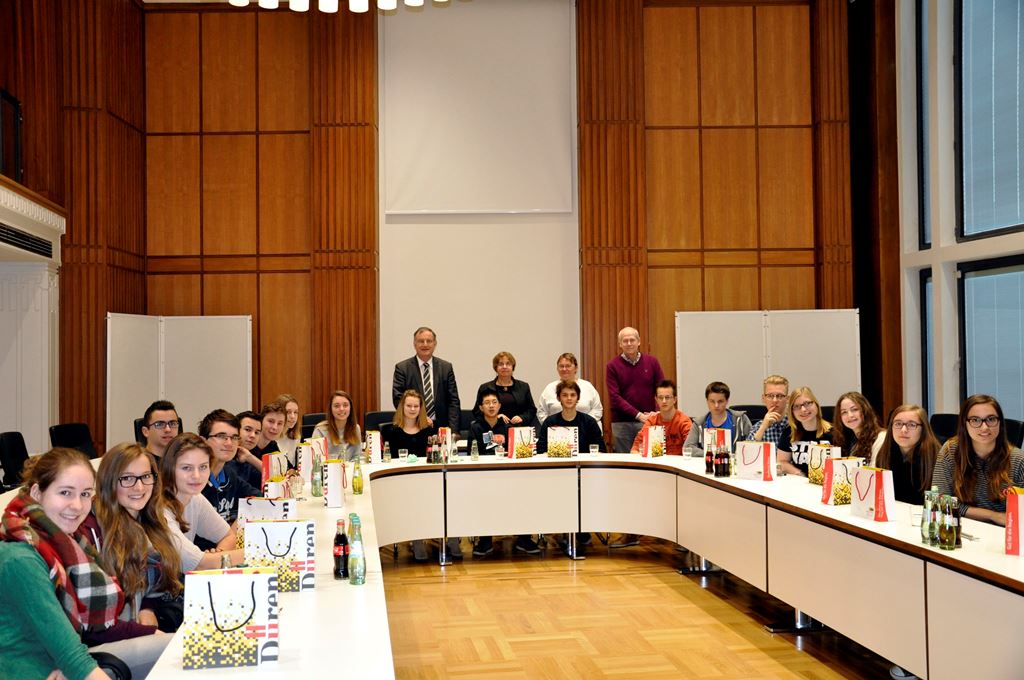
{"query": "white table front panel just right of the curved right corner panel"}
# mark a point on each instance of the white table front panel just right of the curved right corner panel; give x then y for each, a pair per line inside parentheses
(728, 530)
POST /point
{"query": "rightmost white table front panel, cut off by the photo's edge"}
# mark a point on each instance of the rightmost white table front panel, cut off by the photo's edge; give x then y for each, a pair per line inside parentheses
(974, 628)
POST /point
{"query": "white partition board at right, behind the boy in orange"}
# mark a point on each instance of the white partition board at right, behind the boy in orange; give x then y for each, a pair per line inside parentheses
(816, 348)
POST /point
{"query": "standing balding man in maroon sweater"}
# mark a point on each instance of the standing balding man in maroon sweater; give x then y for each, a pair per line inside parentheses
(632, 379)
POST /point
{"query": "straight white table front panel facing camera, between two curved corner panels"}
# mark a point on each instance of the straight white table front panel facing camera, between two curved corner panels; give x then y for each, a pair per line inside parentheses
(504, 500)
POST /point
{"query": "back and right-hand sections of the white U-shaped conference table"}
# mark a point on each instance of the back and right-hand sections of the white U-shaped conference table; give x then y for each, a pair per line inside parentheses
(874, 582)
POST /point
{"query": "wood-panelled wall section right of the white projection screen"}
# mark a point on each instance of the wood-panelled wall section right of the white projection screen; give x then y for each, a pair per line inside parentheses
(707, 182)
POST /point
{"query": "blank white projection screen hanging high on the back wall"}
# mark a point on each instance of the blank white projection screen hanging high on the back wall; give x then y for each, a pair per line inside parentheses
(459, 140)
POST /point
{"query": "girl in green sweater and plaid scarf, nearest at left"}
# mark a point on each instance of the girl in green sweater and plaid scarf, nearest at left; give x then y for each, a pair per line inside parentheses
(58, 599)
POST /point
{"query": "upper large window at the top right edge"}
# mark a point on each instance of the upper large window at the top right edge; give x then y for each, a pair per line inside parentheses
(990, 86)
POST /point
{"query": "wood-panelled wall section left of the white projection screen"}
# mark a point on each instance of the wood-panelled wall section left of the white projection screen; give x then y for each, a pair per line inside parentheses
(262, 199)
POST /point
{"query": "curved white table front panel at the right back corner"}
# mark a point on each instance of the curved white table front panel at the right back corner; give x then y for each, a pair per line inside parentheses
(628, 501)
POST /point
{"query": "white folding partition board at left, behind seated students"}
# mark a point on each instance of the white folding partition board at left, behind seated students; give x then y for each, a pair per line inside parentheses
(199, 363)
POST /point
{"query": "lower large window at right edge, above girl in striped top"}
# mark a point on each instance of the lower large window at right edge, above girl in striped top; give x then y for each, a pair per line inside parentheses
(992, 330)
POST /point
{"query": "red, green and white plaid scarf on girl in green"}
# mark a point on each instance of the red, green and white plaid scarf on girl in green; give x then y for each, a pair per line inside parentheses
(92, 599)
